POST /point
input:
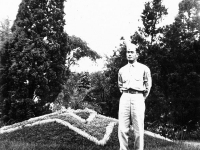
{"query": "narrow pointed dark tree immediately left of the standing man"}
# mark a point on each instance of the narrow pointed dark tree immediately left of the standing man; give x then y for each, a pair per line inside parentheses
(110, 84)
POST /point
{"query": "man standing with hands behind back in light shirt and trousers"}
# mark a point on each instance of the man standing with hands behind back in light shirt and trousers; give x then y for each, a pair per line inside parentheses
(134, 81)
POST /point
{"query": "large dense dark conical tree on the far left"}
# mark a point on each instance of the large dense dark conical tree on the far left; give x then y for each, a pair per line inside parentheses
(34, 59)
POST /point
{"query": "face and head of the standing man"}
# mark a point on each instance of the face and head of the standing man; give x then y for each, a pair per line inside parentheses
(131, 54)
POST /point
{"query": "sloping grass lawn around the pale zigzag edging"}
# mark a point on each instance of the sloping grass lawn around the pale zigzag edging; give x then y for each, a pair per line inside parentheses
(56, 136)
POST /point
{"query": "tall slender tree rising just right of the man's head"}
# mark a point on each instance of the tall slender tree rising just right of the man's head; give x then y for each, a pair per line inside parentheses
(148, 39)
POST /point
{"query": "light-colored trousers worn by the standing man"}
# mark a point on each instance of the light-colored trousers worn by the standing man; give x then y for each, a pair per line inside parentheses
(131, 112)
